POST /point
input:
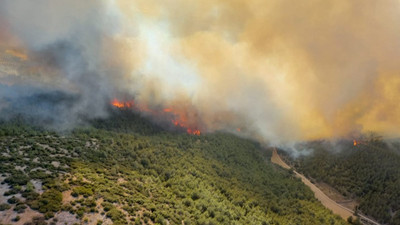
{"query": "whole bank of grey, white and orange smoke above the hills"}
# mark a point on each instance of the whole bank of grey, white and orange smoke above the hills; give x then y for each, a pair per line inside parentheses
(281, 71)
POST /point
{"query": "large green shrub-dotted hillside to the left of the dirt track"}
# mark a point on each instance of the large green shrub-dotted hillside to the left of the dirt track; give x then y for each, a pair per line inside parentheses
(134, 172)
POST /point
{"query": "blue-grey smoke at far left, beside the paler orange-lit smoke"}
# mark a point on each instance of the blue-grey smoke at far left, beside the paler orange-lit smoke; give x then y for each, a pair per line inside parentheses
(63, 41)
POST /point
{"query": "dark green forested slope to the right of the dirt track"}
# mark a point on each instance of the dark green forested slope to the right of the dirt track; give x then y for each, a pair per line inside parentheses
(368, 172)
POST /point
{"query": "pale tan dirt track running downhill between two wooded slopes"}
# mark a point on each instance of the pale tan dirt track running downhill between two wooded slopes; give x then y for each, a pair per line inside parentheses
(321, 196)
